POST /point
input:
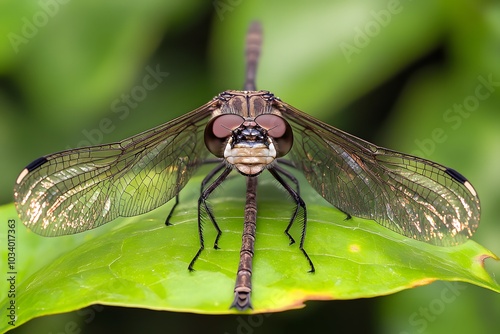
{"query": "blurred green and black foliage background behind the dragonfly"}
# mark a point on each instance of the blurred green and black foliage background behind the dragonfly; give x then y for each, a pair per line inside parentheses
(421, 77)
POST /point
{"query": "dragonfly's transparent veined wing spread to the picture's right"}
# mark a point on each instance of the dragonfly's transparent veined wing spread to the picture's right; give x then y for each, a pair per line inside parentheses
(412, 196)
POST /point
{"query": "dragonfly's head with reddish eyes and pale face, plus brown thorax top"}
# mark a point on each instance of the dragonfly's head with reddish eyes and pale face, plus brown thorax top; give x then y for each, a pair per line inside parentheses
(251, 143)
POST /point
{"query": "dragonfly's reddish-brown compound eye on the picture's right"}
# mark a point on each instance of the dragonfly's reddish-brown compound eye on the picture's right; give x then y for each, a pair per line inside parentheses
(279, 130)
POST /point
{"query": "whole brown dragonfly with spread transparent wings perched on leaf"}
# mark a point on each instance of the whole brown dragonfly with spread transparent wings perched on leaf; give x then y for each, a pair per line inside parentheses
(249, 131)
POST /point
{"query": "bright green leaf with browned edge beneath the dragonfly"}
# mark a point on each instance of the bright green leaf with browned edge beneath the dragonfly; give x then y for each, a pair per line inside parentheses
(139, 262)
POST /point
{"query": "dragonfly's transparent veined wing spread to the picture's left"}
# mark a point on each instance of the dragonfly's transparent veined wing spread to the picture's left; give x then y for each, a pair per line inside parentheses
(77, 190)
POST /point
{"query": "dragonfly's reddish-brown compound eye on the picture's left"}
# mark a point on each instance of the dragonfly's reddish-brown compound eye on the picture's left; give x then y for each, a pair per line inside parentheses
(218, 130)
